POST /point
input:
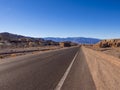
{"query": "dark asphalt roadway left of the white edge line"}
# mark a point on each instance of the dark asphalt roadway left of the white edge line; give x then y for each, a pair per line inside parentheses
(41, 72)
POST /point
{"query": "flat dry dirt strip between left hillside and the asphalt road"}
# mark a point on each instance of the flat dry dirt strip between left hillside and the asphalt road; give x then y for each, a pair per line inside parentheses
(13, 52)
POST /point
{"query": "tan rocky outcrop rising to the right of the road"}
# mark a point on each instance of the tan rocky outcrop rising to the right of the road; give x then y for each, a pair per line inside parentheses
(108, 43)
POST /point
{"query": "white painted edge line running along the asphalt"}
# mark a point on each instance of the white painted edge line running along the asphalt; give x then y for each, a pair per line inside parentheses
(59, 86)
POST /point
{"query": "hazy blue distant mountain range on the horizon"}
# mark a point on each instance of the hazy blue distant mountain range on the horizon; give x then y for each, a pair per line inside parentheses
(80, 40)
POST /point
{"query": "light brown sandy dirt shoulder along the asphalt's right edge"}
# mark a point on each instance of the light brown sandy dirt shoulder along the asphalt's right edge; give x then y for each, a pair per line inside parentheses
(105, 69)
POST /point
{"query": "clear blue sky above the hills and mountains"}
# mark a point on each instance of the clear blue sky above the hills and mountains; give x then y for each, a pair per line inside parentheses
(61, 18)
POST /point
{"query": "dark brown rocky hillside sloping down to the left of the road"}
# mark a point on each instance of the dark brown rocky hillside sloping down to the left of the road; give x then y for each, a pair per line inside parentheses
(13, 40)
